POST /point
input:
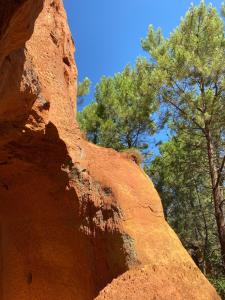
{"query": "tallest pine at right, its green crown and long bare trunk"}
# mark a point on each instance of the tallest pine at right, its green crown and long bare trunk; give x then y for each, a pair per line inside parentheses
(189, 77)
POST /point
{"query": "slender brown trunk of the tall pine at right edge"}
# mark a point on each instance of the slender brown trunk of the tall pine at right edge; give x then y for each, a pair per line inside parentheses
(217, 192)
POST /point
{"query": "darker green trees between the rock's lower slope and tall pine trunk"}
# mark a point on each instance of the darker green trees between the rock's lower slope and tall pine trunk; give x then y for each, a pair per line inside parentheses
(180, 175)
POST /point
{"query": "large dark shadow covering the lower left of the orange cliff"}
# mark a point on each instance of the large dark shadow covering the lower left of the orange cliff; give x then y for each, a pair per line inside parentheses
(51, 244)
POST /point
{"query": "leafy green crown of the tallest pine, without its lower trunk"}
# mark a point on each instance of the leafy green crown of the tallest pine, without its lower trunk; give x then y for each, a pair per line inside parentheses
(189, 67)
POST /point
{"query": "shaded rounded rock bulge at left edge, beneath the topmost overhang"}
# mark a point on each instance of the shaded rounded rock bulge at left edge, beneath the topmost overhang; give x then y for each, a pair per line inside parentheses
(19, 88)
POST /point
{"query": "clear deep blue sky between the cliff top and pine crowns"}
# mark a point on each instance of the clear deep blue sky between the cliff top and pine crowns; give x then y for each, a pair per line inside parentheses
(107, 33)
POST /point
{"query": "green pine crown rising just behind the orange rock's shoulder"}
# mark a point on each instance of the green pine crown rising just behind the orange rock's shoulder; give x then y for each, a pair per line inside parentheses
(121, 114)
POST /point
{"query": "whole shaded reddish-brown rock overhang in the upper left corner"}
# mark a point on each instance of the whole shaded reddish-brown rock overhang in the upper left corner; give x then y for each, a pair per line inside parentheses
(19, 85)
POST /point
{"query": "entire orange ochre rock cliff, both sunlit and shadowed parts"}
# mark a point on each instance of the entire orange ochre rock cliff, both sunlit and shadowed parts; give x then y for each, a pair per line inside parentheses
(73, 216)
